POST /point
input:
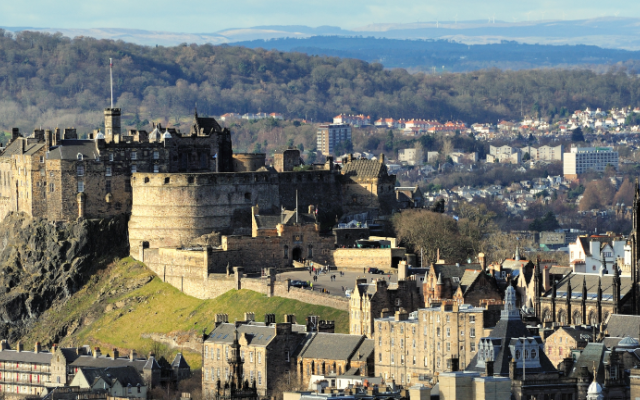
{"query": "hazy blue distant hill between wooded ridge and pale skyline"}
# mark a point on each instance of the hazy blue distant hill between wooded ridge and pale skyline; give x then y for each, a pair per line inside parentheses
(445, 55)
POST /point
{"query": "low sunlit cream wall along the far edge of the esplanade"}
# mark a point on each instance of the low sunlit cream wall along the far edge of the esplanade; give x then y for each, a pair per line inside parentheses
(384, 259)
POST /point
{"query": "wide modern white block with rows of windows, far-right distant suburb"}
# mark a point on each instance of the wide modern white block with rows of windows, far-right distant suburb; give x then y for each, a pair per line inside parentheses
(583, 159)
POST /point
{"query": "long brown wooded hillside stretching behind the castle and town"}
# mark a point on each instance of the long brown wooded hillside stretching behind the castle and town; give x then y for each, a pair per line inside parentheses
(51, 80)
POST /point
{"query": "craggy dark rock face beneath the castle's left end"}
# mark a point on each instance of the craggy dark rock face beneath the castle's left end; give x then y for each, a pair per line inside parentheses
(43, 263)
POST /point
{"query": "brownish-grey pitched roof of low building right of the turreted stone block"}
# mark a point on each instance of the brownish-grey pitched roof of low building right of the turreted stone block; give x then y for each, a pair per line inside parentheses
(331, 346)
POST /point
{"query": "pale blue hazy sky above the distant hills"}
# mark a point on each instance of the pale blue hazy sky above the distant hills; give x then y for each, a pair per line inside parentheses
(209, 16)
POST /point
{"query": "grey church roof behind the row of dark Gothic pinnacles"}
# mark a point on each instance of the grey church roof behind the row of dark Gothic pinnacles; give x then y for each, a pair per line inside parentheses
(592, 287)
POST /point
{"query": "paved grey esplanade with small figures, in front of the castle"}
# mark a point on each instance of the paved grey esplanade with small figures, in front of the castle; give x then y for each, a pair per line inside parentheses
(348, 280)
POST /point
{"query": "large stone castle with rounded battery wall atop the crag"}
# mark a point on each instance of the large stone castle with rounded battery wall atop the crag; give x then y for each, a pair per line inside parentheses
(180, 188)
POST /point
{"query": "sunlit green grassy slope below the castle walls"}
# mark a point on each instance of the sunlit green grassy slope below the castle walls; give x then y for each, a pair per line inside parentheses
(156, 307)
